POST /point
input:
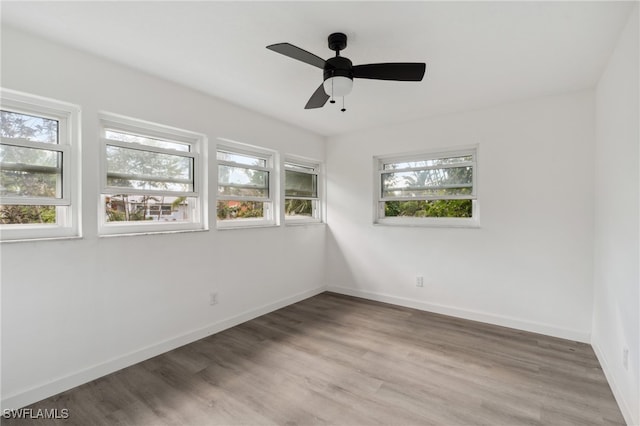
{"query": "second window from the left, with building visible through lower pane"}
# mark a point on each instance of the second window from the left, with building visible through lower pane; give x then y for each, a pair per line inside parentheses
(152, 177)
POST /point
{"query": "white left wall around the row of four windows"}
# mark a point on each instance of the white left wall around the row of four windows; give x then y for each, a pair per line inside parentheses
(76, 309)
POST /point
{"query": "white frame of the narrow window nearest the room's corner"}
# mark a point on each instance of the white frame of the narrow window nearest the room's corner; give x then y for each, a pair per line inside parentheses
(317, 202)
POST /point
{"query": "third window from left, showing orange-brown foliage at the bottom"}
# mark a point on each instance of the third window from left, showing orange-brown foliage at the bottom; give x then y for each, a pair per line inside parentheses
(245, 186)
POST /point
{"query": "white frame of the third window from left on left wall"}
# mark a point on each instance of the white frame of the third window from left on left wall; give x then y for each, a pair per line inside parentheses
(271, 218)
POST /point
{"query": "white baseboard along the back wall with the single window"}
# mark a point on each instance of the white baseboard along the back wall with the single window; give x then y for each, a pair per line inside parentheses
(504, 321)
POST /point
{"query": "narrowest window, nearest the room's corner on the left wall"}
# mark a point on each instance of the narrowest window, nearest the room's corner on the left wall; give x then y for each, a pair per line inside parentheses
(301, 191)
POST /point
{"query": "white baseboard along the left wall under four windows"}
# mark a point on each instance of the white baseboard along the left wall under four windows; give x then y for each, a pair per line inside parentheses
(45, 390)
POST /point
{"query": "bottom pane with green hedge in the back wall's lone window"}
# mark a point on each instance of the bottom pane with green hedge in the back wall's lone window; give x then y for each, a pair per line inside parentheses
(431, 208)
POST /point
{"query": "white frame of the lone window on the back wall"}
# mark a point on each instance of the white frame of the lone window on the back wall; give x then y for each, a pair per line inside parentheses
(379, 207)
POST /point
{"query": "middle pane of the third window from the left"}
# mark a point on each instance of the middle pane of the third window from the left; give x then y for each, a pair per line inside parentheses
(242, 181)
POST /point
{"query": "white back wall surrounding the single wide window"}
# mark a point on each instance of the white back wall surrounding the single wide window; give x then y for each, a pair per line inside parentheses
(529, 266)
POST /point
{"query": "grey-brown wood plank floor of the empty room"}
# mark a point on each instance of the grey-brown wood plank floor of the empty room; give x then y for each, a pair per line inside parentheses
(334, 359)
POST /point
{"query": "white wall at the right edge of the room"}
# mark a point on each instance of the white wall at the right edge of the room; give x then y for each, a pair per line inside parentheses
(616, 323)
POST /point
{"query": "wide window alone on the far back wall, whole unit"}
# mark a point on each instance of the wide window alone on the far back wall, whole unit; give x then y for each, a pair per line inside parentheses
(433, 189)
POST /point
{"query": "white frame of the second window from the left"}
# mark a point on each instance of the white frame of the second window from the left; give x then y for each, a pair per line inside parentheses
(197, 152)
